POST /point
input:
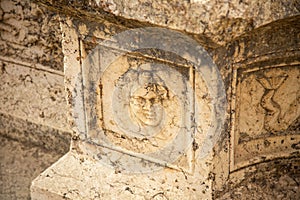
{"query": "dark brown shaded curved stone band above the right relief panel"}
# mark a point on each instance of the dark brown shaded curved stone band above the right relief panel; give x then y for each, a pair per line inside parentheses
(272, 41)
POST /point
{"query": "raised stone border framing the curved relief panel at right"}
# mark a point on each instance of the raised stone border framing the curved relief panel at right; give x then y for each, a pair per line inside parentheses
(285, 149)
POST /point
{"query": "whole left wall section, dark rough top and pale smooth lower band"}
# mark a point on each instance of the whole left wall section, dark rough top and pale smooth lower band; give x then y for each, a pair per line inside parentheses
(32, 89)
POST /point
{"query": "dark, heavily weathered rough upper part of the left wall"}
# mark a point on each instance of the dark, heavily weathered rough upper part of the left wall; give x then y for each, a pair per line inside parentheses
(30, 33)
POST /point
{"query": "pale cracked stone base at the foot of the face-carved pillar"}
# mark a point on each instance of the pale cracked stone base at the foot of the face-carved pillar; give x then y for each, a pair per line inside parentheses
(79, 177)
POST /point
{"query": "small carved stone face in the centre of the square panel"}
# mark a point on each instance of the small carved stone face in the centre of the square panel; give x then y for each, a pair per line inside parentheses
(146, 105)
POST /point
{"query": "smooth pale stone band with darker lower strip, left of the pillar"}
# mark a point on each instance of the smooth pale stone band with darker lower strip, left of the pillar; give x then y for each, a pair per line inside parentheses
(33, 105)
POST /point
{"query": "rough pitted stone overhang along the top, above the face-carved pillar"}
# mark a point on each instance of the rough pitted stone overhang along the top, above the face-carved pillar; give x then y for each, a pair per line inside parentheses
(213, 22)
